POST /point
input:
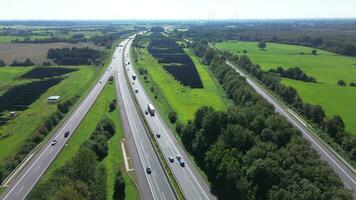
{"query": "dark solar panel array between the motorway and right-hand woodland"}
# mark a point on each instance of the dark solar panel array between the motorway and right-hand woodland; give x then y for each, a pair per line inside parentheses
(176, 61)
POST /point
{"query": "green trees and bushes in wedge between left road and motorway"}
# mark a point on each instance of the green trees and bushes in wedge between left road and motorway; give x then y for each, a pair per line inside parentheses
(84, 176)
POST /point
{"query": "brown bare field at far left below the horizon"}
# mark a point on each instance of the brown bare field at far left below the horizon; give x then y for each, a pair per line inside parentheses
(36, 52)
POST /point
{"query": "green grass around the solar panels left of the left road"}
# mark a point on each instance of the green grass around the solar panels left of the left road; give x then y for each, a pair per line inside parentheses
(14, 134)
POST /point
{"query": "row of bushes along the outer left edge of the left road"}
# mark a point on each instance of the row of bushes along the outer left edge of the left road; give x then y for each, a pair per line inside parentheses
(13, 161)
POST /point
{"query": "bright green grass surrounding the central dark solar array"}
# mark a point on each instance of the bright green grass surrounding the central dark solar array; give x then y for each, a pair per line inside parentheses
(185, 101)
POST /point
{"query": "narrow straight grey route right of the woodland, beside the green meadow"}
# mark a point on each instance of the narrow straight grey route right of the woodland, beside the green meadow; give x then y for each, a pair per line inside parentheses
(345, 172)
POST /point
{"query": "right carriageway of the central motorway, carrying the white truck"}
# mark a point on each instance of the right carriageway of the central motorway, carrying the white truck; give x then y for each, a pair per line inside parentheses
(190, 181)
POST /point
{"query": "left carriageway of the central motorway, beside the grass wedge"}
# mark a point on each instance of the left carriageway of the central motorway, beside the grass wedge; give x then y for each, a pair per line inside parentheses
(157, 181)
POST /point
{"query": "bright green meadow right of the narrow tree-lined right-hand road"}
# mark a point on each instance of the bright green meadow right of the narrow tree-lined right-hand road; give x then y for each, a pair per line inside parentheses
(326, 67)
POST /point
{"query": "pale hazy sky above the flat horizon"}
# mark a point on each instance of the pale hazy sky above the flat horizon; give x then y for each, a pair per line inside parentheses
(175, 9)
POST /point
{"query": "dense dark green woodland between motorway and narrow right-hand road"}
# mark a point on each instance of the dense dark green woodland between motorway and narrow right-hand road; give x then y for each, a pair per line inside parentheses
(250, 152)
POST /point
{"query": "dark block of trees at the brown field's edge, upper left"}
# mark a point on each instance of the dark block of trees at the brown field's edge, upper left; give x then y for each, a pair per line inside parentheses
(75, 56)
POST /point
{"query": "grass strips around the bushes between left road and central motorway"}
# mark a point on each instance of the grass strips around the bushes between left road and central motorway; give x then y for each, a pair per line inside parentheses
(114, 161)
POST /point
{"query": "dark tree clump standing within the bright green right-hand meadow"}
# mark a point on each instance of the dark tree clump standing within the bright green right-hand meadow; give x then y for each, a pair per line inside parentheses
(293, 73)
